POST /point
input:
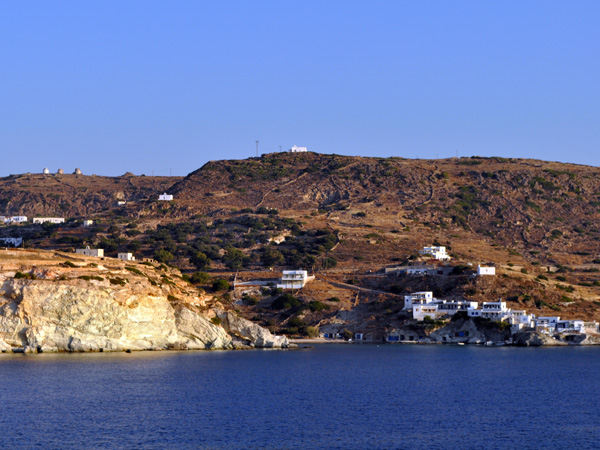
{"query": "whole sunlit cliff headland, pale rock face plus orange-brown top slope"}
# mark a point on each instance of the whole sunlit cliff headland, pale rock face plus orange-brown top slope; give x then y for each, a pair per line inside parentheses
(52, 308)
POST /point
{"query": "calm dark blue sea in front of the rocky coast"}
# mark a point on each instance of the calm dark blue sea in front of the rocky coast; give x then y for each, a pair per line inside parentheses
(332, 396)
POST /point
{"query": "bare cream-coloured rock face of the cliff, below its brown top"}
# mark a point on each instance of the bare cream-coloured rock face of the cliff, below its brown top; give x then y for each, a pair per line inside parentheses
(50, 316)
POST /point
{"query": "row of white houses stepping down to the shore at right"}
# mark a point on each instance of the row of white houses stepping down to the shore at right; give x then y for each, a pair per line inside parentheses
(423, 304)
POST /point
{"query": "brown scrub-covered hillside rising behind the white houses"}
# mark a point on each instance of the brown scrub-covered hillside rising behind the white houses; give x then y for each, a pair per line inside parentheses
(346, 218)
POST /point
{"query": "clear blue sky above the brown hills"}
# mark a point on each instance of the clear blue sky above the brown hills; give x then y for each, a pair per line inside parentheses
(116, 86)
